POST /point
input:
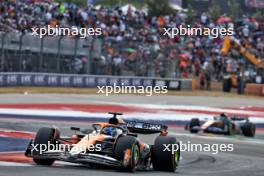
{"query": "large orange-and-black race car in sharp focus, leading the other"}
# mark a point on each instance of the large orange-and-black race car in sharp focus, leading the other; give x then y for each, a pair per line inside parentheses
(115, 143)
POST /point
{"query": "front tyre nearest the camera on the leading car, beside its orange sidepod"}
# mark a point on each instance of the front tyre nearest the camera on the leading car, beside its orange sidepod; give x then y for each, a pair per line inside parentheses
(123, 144)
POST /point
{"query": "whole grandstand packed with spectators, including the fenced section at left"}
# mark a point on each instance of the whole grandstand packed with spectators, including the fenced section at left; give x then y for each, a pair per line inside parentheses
(132, 43)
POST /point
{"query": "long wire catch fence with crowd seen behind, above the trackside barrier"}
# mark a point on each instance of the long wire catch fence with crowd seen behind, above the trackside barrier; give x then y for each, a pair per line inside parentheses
(24, 52)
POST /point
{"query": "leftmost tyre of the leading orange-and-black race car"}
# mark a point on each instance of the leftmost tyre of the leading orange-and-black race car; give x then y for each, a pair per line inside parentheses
(44, 136)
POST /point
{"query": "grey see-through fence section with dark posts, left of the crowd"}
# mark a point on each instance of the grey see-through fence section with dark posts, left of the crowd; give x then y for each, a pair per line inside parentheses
(25, 52)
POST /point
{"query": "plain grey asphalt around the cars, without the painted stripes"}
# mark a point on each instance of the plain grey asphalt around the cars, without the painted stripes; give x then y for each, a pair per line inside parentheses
(246, 159)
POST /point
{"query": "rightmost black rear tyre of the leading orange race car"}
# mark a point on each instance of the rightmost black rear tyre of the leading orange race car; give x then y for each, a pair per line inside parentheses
(165, 159)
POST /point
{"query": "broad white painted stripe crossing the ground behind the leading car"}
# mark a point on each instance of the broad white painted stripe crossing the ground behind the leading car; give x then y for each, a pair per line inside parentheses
(161, 115)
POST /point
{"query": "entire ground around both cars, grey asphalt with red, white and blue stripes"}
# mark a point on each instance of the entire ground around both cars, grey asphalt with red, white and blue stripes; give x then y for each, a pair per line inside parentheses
(22, 115)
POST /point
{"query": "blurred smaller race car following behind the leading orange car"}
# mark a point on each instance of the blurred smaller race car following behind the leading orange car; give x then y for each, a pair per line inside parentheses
(223, 124)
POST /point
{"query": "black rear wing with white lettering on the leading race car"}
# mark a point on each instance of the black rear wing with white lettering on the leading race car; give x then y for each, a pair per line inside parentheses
(145, 128)
